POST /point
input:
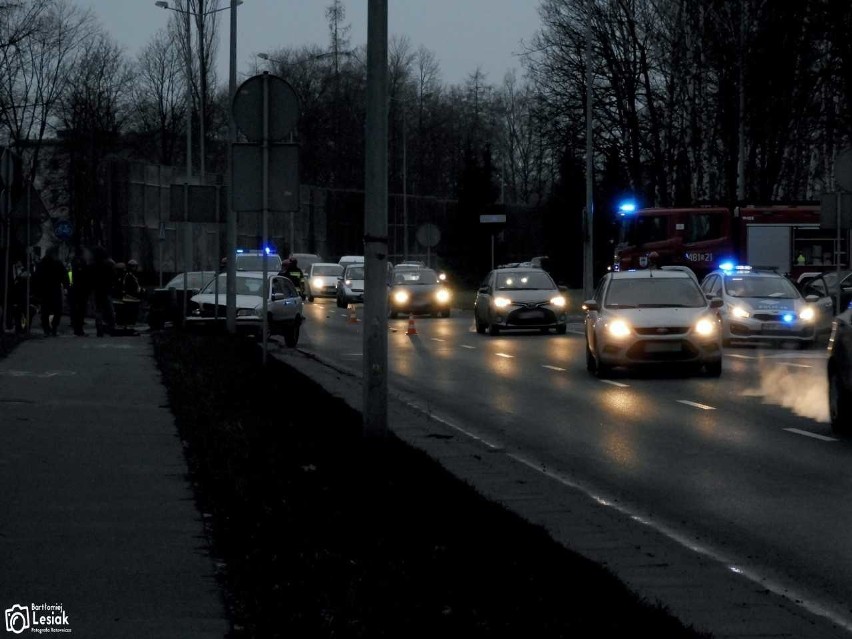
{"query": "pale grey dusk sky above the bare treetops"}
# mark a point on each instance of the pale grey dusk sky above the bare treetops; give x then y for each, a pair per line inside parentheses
(463, 34)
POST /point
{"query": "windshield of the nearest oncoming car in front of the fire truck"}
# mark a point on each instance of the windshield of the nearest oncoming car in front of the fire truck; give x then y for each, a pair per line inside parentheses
(654, 292)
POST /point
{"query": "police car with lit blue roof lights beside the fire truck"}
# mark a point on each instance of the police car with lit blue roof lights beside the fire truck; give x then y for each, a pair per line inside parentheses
(763, 306)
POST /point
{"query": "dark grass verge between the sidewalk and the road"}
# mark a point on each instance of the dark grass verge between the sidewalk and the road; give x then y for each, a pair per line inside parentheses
(324, 534)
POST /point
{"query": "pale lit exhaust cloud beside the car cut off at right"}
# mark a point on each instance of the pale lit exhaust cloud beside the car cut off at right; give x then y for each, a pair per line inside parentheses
(804, 391)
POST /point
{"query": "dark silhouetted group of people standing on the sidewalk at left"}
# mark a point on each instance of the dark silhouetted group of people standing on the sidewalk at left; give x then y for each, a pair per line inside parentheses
(92, 275)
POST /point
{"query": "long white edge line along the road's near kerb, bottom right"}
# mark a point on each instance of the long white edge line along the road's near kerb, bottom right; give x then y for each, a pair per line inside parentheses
(778, 588)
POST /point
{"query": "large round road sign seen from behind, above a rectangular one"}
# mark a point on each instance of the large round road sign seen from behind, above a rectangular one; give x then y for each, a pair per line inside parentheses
(248, 108)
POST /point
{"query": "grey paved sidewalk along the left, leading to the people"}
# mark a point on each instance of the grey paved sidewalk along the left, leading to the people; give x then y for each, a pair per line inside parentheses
(96, 513)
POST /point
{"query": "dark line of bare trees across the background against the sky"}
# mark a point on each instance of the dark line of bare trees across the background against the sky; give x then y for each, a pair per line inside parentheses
(694, 101)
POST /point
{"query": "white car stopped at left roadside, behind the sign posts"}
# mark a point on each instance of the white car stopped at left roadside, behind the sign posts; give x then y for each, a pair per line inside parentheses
(284, 305)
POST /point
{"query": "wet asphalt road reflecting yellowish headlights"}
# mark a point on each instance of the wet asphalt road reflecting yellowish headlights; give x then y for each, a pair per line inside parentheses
(744, 466)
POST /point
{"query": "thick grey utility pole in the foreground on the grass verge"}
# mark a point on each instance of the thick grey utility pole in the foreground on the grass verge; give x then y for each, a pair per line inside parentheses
(375, 331)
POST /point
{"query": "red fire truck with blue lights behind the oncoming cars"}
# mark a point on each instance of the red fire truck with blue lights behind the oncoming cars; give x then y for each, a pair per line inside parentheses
(787, 238)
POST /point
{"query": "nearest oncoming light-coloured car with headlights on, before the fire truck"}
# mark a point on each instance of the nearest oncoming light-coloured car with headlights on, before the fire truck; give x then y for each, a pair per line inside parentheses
(652, 316)
